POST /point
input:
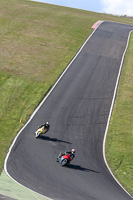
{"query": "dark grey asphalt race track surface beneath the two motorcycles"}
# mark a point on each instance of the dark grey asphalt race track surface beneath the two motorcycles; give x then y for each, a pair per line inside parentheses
(77, 110)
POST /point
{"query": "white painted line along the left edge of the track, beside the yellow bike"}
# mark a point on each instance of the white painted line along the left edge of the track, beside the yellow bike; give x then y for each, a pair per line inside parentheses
(5, 162)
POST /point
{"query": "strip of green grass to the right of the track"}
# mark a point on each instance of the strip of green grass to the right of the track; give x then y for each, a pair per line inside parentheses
(119, 144)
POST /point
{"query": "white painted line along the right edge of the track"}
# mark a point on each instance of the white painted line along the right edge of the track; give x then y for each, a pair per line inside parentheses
(110, 113)
